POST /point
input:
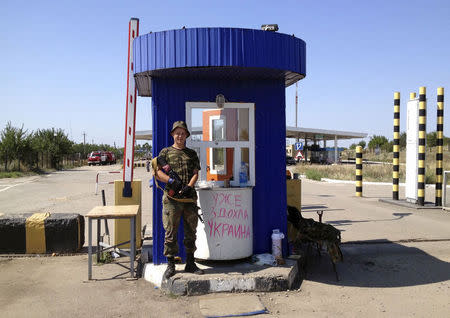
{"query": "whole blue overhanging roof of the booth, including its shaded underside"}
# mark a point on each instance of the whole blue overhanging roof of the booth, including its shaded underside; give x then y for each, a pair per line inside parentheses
(214, 52)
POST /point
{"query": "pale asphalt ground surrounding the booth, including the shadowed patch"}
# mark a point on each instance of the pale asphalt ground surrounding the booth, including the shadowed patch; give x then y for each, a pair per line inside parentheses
(396, 259)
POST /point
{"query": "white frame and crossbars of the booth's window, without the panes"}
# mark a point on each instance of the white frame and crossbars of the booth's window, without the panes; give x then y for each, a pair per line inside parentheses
(237, 145)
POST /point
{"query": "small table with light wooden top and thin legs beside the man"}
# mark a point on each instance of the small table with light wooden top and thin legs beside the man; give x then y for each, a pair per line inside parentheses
(113, 212)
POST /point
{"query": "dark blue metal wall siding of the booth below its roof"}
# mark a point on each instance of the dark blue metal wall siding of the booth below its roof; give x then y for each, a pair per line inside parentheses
(269, 193)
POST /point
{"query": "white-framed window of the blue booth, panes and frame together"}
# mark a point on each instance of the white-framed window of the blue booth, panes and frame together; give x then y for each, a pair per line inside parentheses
(224, 138)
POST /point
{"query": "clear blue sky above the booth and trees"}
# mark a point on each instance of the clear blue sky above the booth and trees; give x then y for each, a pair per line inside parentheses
(63, 63)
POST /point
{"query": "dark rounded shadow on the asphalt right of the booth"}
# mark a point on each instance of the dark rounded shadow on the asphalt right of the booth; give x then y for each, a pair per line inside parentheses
(386, 264)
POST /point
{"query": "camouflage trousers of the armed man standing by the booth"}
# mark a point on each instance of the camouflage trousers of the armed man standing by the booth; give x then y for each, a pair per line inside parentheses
(172, 212)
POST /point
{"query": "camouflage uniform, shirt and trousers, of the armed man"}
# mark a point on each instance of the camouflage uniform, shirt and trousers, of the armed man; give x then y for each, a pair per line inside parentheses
(183, 162)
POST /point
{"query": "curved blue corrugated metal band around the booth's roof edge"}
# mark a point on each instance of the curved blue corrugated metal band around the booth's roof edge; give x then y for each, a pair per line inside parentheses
(206, 47)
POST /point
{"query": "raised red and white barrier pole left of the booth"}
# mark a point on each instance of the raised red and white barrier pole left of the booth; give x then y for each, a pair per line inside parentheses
(128, 156)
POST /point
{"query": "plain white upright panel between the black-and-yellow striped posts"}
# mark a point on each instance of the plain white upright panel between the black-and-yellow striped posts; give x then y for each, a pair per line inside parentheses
(412, 150)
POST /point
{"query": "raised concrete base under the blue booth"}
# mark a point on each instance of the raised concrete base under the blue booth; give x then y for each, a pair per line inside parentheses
(234, 277)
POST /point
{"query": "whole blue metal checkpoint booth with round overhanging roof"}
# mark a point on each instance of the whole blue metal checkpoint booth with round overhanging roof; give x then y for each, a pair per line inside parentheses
(181, 68)
